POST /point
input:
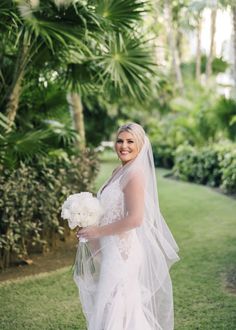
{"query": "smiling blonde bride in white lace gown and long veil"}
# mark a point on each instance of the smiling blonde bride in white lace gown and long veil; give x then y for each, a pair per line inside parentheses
(128, 286)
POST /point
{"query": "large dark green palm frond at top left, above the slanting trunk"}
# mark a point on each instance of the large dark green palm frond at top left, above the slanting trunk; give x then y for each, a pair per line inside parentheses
(59, 25)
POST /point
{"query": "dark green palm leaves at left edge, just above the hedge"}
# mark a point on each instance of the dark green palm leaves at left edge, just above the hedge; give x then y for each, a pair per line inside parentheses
(35, 146)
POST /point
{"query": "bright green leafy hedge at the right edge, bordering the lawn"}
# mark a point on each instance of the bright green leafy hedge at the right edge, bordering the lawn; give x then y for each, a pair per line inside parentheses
(213, 165)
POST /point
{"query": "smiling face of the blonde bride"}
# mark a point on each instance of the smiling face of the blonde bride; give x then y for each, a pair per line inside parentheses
(126, 147)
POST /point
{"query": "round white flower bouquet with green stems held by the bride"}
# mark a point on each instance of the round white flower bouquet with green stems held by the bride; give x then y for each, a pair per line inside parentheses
(82, 210)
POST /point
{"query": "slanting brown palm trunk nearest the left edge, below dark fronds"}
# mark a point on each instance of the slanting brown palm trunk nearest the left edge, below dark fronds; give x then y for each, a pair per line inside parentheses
(16, 87)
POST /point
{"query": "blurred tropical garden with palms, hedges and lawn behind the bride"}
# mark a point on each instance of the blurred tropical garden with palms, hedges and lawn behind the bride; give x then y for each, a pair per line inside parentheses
(71, 72)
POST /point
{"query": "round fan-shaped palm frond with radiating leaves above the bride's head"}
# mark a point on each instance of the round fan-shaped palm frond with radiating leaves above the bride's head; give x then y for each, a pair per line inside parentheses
(127, 65)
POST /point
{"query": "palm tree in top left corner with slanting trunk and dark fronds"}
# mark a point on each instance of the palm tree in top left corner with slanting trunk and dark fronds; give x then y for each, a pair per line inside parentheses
(35, 29)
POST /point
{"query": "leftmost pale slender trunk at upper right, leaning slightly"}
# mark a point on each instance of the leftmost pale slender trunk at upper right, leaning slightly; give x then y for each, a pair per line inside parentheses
(171, 33)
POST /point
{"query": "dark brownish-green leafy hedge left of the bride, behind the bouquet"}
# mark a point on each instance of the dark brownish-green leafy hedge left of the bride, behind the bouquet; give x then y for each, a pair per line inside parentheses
(31, 199)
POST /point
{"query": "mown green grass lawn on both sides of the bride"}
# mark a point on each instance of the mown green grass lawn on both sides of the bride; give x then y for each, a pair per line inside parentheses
(204, 225)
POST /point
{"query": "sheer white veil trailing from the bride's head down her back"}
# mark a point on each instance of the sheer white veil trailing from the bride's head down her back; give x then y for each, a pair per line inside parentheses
(159, 249)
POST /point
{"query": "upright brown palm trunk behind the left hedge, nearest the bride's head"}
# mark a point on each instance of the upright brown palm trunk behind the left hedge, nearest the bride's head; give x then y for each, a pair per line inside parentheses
(78, 117)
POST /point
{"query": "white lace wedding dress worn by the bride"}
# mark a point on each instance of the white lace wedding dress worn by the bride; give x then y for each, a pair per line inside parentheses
(130, 286)
